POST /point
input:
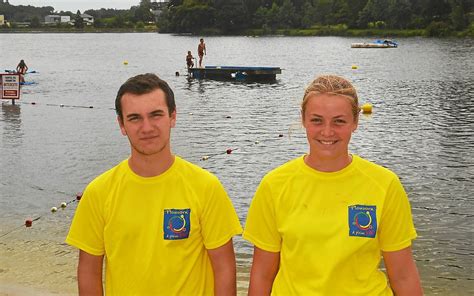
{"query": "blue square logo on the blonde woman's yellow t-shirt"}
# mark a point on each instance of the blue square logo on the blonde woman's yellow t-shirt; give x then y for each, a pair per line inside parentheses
(362, 221)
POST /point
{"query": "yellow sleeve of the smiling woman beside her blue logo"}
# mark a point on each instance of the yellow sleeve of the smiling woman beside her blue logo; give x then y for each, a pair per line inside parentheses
(396, 228)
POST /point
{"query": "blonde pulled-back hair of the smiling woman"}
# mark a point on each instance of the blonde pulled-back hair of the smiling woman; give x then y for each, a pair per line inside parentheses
(332, 84)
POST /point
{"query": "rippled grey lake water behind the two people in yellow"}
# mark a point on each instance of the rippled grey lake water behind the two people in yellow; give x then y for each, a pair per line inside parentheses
(422, 128)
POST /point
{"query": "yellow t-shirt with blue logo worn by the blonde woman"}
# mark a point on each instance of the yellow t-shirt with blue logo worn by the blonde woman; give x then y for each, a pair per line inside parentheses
(330, 228)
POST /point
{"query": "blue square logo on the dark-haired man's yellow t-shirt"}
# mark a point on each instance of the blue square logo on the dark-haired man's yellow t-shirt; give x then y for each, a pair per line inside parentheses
(176, 223)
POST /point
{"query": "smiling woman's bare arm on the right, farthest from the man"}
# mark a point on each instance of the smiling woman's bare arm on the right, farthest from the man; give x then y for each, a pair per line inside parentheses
(402, 272)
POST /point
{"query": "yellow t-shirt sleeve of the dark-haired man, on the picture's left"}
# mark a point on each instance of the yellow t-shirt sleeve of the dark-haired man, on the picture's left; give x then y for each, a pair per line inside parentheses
(87, 227)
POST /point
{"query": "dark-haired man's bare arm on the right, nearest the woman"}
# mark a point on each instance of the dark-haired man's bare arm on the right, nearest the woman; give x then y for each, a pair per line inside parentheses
(223, 265)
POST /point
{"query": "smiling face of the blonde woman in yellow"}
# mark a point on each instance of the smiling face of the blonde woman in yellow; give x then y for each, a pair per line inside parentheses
(329, 124)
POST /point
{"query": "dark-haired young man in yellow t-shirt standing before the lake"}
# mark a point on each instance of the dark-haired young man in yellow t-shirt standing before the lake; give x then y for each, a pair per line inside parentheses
(163, 224)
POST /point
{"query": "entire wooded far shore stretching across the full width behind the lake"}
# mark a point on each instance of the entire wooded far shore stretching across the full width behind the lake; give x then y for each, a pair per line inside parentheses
(437, 17)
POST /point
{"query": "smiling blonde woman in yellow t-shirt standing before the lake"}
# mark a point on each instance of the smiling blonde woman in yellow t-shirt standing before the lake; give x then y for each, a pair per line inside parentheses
(320, 223)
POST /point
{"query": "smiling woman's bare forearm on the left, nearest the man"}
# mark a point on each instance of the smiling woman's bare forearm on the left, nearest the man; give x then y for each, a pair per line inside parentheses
(264, 269)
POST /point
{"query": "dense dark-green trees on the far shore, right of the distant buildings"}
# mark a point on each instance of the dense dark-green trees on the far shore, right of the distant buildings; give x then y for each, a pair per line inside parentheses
(234, 16)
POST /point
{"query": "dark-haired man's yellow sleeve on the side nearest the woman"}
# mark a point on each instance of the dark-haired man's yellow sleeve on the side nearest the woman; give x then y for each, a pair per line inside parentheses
(219, 220)
